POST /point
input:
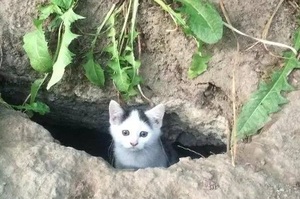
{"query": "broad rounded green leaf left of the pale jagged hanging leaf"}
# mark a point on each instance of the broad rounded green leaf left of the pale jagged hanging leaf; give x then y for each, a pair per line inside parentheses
(36, 48)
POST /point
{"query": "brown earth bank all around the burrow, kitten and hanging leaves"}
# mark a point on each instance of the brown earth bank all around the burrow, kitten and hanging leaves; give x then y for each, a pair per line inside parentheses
(267, 167)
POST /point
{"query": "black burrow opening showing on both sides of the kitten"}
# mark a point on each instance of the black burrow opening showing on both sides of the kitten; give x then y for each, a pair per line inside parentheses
(98, 142)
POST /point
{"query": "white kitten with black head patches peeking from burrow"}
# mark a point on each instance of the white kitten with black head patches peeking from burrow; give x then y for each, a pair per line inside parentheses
(136, 135)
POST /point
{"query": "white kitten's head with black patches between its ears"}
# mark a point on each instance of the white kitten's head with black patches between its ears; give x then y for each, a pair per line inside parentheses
(135, 129)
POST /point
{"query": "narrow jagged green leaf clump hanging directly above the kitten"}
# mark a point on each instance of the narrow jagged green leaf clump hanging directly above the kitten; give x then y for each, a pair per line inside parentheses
(123, 64)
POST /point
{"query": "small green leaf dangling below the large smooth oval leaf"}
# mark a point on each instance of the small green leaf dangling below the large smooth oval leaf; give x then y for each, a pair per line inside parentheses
(198, 65)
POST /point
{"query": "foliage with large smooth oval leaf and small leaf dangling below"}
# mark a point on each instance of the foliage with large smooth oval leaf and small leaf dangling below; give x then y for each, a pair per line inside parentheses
(203, 22)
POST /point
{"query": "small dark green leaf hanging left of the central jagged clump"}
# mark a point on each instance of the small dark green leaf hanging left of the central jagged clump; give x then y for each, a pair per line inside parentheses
(93, 71)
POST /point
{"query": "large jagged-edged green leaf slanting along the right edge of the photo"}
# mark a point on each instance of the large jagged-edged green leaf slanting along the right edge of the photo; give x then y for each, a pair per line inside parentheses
(266, 100)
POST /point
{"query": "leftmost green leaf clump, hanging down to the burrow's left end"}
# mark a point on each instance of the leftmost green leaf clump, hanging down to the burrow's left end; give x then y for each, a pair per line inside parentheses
(36, 47)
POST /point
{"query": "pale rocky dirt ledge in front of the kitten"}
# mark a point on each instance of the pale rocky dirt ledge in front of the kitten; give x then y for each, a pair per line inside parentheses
(34, 165)
